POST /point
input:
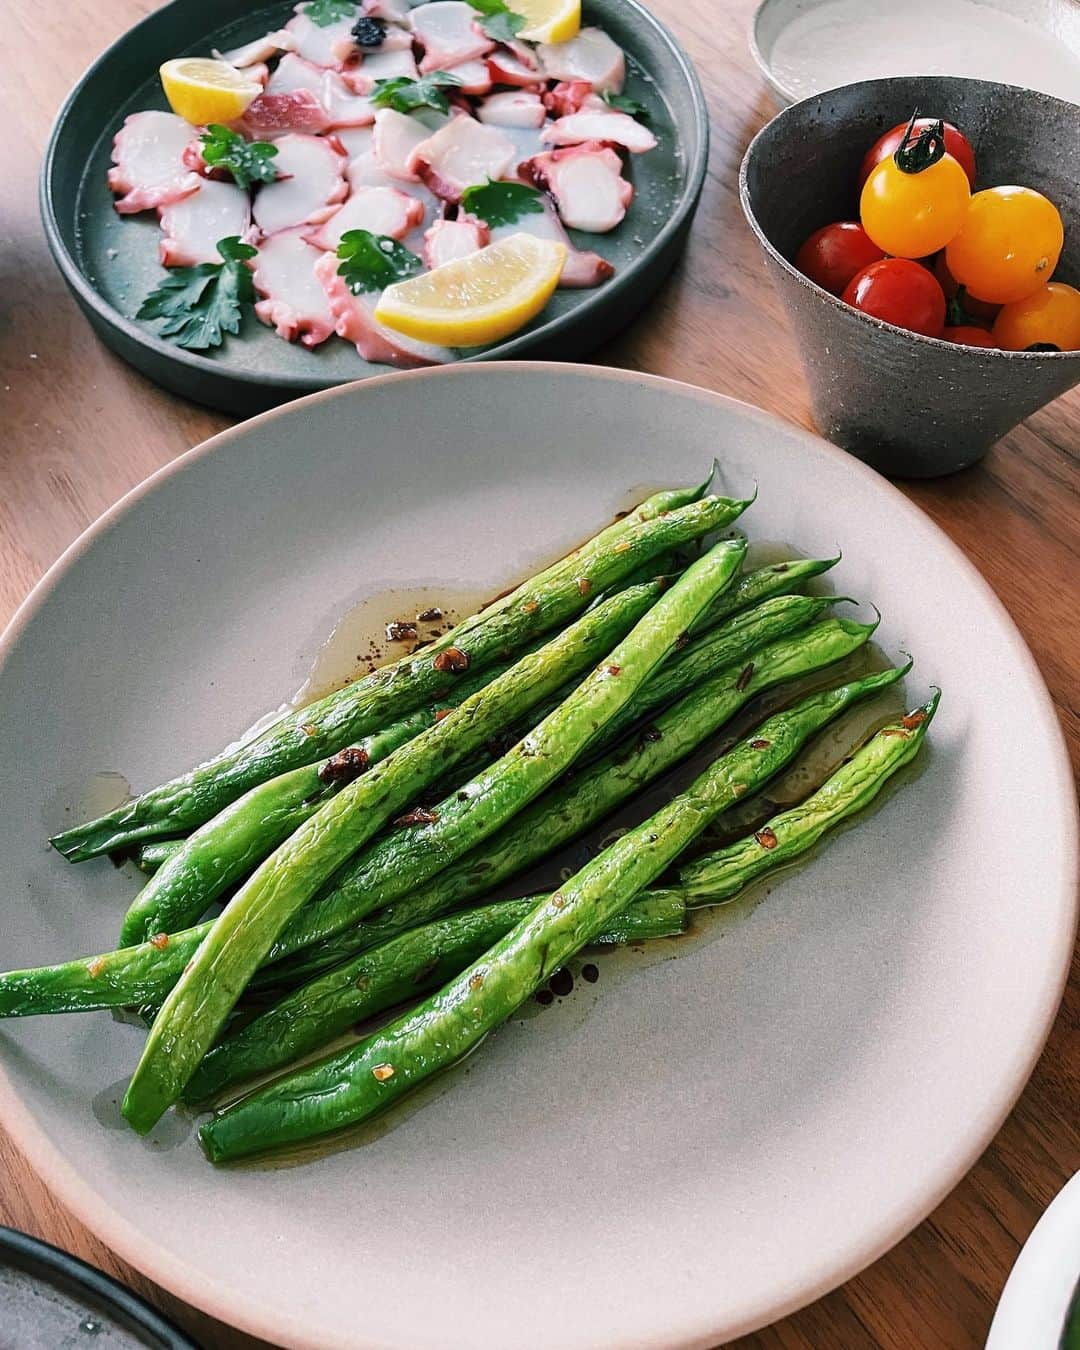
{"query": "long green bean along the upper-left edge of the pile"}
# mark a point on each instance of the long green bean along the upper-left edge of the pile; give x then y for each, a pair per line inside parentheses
(321, 730)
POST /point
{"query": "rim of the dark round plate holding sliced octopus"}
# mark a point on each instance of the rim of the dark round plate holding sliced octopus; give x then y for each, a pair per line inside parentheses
(90, 298)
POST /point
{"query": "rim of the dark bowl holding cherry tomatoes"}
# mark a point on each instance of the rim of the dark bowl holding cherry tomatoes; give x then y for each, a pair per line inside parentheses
(938, 344)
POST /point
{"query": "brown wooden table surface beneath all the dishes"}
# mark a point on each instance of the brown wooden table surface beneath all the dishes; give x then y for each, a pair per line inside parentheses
(80, 429)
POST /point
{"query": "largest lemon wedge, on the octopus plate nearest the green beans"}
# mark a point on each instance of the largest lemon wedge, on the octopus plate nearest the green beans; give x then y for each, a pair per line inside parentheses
(480, 299)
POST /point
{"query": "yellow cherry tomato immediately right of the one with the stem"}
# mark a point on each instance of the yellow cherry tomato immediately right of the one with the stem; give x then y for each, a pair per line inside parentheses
(1009, 246)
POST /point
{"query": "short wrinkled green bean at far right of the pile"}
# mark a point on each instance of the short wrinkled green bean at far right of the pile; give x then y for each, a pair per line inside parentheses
(712, 880)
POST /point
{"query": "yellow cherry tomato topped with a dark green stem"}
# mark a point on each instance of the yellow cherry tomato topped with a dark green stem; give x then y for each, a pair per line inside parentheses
(912, 215)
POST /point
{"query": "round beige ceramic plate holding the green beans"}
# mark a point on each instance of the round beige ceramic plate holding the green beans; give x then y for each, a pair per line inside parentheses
(669, 1158)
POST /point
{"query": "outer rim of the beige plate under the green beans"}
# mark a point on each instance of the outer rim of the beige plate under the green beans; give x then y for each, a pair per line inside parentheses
(250, 1316)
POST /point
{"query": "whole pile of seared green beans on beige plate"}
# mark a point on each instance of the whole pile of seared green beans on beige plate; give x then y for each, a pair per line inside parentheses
(348, 839)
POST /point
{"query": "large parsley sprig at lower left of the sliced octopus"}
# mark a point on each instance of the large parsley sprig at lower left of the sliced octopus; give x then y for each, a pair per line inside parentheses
(205, 303)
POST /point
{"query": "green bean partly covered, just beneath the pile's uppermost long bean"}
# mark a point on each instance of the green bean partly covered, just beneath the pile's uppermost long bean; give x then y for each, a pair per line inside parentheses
(230, 846)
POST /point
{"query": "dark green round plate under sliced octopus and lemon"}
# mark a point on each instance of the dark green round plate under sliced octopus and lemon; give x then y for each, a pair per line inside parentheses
(111, 263)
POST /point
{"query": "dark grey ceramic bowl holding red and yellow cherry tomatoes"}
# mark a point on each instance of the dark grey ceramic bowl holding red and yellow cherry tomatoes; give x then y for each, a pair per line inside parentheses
(909, 406)
